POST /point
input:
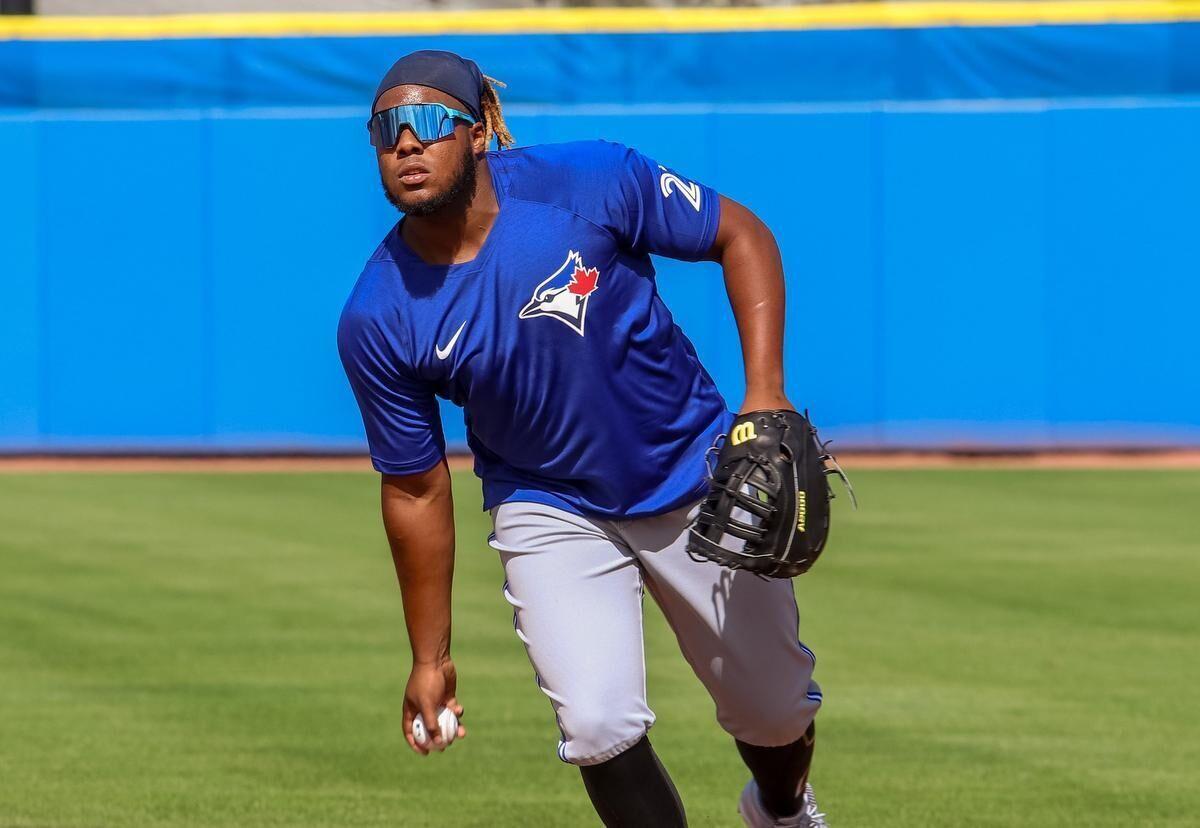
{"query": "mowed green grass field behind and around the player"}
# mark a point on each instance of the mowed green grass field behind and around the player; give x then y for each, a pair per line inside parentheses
(998, 649)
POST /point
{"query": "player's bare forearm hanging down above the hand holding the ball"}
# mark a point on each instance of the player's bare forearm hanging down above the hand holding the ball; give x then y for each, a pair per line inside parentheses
(418, 514)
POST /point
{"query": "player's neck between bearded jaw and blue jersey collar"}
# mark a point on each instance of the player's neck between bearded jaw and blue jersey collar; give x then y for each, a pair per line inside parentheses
(455, 233)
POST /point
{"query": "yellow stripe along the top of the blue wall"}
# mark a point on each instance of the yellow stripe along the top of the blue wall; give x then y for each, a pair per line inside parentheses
(566, 21)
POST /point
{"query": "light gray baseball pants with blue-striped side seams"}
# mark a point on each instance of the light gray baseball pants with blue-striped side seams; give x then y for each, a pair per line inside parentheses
(577, 585)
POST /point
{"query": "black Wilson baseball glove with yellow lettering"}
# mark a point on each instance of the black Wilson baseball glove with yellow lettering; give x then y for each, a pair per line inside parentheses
(767, 509)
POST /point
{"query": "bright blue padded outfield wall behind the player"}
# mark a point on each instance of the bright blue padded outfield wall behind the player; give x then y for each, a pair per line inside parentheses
(992, 235)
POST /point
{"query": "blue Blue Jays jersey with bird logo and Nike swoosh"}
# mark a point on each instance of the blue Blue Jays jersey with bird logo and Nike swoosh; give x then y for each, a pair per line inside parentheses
(579, 389)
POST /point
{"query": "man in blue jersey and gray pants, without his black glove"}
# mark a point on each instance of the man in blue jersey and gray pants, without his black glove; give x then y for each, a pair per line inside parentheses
(520, 286)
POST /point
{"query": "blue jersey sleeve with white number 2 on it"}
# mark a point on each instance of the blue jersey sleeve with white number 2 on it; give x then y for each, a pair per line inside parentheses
(659, 211)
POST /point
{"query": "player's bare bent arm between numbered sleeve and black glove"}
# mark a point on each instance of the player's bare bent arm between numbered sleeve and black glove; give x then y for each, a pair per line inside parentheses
(754, 281)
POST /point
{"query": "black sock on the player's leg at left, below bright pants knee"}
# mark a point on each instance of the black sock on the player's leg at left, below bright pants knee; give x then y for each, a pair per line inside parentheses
(633, 790)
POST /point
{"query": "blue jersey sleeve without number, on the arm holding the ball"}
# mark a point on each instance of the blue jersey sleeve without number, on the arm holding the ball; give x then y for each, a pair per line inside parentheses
(400, 413)
